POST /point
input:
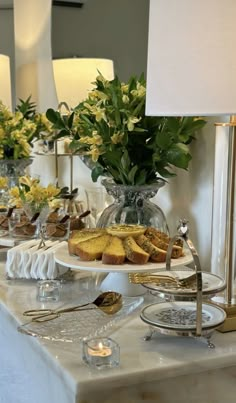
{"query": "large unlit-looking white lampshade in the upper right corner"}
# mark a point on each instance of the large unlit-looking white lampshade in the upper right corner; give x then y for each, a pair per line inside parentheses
(191, 66)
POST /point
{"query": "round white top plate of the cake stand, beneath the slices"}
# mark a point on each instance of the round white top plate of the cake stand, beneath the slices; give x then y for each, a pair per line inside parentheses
(63, 257)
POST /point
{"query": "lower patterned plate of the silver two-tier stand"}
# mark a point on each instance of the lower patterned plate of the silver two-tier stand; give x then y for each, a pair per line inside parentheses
(181, 316)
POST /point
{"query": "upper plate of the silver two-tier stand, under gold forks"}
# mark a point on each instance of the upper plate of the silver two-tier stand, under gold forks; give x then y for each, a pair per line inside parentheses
(211, 284)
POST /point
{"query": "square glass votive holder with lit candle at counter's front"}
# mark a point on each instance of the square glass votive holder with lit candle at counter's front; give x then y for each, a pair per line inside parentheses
(101, 353)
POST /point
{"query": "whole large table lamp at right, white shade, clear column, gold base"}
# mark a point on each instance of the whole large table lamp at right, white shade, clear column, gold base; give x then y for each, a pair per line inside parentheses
(191, 71)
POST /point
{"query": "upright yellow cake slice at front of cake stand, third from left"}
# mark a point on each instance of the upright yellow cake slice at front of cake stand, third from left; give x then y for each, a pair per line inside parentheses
(114, 252)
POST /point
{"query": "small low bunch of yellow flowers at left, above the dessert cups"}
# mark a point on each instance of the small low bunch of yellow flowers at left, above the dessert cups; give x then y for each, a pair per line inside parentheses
(31, 193)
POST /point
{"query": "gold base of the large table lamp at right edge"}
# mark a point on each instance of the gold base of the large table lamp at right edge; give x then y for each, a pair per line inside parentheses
(229, 324)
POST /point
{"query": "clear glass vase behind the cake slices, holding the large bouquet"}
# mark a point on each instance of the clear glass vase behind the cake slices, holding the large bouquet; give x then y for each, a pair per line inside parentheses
(132, 205)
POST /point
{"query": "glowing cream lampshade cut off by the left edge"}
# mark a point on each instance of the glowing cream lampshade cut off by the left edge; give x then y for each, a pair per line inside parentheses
(5, 81)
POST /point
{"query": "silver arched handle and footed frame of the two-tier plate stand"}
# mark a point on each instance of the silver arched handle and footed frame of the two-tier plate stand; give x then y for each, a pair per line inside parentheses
(183, 234)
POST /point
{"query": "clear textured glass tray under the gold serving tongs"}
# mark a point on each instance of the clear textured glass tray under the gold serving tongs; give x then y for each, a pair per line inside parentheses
(75, 326)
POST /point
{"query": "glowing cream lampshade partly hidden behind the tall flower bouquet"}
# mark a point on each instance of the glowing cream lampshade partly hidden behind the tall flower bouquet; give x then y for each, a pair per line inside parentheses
(74, 77)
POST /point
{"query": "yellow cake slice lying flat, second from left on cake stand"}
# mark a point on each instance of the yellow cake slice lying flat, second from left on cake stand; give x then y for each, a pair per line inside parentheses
(92, 249)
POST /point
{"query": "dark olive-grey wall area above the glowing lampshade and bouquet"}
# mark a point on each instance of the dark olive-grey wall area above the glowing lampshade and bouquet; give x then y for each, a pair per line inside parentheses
(109, 29)
